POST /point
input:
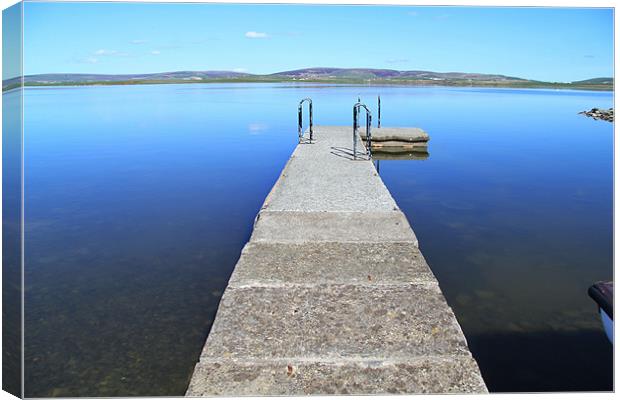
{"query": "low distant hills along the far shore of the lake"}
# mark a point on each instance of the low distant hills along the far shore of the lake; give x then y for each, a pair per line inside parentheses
(368, 76)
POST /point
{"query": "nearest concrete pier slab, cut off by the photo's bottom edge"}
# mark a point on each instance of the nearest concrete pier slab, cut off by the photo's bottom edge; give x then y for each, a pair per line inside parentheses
(300, 377)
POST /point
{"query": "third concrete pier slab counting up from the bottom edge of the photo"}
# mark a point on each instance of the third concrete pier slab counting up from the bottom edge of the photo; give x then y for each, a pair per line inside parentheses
(330, 263)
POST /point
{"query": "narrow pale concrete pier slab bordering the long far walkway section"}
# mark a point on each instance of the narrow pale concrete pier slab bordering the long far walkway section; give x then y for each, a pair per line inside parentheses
(313, 227)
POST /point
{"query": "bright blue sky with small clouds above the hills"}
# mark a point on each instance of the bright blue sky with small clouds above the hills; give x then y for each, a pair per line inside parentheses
(551, 44)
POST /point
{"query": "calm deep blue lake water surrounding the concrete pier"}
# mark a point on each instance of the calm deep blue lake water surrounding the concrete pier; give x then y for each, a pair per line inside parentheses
(139, 199)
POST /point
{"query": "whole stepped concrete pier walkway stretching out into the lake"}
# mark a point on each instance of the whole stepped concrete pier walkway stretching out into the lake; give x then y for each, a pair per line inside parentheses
(331, 294)
